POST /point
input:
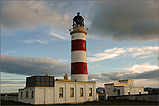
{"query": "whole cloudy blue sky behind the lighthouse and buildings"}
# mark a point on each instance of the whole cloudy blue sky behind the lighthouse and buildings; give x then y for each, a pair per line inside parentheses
(122, 40)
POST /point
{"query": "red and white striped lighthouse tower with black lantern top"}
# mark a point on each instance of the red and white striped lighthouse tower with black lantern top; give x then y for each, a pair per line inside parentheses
(78, 50)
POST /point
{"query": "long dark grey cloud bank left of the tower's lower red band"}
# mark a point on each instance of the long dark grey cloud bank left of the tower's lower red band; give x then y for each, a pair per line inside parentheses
(33, 66)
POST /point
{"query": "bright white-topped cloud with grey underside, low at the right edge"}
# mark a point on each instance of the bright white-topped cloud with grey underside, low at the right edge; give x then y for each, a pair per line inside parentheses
(138, 71)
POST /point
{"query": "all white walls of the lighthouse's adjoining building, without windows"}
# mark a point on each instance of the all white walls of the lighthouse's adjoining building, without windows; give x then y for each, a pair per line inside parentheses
(50, 95)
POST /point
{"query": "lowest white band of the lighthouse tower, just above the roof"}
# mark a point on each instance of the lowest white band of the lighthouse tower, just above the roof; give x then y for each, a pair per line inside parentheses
(79, 77)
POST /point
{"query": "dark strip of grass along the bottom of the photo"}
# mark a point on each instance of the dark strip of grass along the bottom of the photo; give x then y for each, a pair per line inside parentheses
(108, 102)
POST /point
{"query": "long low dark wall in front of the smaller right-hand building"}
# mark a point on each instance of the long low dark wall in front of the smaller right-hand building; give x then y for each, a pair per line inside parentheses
(142, 97)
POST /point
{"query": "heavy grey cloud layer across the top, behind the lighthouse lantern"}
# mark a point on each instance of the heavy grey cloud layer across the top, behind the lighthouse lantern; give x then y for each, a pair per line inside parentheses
(119, 20)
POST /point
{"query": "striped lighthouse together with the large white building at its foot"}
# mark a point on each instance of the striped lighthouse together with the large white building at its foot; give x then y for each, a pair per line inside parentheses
(46, 90)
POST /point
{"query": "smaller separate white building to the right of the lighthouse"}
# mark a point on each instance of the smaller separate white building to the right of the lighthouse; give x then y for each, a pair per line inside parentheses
(124, 87)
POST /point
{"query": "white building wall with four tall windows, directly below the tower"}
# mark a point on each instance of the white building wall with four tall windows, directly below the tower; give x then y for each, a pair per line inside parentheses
(76, 98)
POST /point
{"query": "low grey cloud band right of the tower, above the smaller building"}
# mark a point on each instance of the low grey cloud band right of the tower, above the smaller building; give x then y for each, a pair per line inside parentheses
(115, 76)
